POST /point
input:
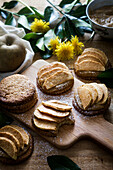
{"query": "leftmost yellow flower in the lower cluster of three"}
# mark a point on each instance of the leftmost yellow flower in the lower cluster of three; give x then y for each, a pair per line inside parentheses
(53, 43)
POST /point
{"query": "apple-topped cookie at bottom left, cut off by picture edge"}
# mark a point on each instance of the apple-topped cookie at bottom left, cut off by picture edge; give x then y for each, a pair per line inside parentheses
(16, 145)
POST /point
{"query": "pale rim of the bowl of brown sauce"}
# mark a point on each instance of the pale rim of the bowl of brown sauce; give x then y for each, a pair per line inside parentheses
(87, 13)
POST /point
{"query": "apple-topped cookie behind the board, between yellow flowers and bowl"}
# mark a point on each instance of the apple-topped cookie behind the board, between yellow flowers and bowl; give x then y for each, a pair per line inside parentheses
(90, 63)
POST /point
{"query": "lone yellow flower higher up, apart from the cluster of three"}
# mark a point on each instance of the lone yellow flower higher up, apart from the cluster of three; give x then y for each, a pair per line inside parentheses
(40, 26)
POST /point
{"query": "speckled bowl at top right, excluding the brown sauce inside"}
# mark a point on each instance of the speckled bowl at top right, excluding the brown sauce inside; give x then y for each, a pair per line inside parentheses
(103, 31)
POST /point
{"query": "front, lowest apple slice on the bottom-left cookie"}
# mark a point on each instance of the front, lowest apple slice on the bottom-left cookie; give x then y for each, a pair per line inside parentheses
(8, 146)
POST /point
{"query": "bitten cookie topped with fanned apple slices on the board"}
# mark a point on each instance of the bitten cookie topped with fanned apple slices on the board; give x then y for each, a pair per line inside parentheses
(50, 115)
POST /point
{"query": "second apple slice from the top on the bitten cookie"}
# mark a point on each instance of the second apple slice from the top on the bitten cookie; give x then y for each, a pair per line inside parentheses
(52, 112)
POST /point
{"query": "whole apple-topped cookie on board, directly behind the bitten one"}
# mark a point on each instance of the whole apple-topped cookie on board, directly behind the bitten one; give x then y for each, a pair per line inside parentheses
(54, 78)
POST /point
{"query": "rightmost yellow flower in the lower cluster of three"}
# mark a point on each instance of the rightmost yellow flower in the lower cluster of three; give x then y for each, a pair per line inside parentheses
(77, 45)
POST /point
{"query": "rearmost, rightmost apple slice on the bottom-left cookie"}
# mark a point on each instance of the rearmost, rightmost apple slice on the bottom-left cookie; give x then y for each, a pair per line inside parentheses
(23, 133)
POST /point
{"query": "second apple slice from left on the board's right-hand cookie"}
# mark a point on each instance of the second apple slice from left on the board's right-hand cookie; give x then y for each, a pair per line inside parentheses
(93, 92)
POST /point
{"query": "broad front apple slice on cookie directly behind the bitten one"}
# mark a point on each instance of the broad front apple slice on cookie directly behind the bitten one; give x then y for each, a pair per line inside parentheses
(56, 79)
